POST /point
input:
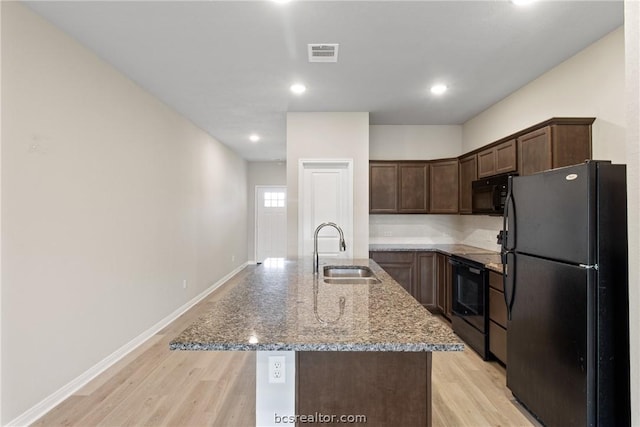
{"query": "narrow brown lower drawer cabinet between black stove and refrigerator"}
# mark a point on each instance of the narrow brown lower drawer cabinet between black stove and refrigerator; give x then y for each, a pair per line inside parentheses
(497, 318)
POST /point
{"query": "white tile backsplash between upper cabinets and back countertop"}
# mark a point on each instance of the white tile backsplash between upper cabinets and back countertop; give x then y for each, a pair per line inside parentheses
(473, 230)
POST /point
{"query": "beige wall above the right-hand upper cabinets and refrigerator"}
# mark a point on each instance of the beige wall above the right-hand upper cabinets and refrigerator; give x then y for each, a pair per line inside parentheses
(590, 84)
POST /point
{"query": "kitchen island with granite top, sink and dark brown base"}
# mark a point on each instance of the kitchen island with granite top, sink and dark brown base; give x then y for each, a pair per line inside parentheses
(360, 349)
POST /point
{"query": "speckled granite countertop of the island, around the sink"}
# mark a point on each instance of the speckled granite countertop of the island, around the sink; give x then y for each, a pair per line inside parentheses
(281, 305)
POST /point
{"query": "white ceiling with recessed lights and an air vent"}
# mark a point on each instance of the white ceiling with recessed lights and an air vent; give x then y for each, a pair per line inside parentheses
(227, 65)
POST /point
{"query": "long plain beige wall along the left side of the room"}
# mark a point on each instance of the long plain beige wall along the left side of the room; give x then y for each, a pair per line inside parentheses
(109, 200)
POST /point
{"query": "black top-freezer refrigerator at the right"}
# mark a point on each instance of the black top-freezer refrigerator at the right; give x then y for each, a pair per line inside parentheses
(566, 289)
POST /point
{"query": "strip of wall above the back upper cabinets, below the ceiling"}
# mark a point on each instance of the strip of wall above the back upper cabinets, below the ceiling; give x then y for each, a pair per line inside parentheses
(399, 142)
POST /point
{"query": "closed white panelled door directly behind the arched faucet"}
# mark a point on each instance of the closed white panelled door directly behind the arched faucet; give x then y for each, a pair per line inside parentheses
(326, 195)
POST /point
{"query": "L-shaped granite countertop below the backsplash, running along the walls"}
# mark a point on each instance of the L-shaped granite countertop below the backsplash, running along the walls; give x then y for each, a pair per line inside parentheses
(490, 259)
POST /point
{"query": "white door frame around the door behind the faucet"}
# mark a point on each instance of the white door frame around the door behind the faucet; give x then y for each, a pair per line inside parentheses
(325, 162)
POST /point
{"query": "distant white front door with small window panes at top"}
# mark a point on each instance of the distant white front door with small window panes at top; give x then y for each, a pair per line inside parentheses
(271, 222)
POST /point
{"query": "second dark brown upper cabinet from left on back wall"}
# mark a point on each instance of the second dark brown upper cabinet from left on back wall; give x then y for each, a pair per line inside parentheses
(413, 187)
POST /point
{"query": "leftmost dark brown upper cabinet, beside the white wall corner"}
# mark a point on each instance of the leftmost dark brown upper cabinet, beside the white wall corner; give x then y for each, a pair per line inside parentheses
(383, 187)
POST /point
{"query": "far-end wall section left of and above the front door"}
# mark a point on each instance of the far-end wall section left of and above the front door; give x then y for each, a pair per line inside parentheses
(260, 173)
